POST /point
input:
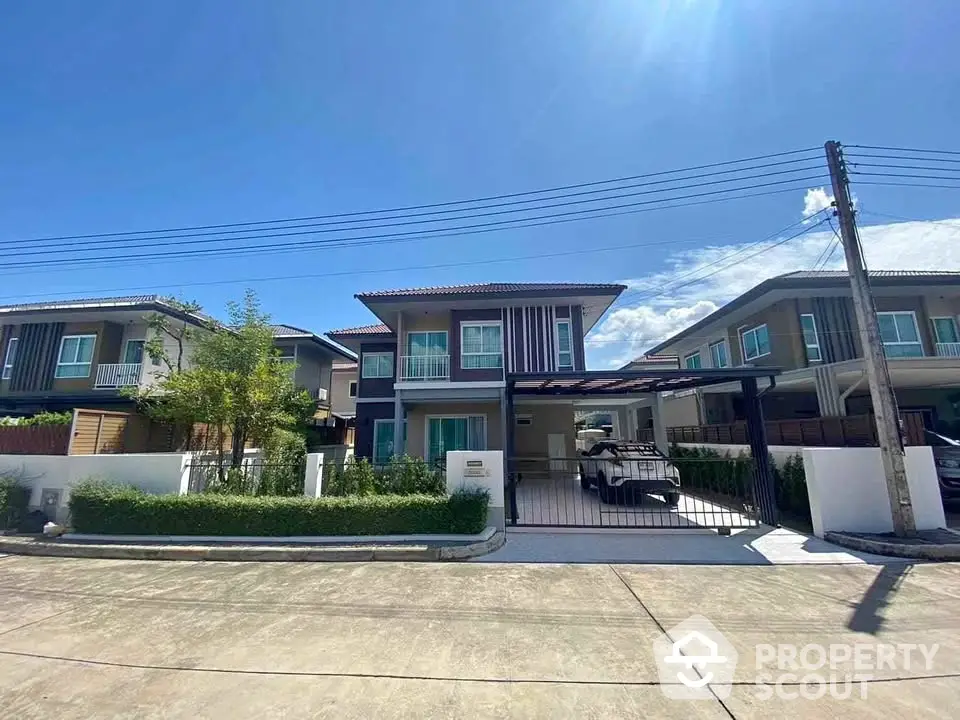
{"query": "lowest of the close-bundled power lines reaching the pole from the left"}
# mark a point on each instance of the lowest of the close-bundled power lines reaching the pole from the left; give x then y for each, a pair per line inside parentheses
(399, 237)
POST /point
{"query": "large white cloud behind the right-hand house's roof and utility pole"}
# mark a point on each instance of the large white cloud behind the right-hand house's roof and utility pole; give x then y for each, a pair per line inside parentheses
(660, 304)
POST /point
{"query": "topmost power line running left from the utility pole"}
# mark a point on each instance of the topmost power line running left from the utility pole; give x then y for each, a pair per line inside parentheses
(435, 205)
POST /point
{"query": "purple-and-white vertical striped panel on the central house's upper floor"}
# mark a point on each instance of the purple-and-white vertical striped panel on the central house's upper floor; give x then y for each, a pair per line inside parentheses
(530, 337)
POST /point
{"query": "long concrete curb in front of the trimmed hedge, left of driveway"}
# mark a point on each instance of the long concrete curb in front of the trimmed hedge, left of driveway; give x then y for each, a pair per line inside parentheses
(18, 545)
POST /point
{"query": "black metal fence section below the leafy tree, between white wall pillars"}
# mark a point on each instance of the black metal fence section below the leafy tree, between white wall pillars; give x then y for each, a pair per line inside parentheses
(251, 477)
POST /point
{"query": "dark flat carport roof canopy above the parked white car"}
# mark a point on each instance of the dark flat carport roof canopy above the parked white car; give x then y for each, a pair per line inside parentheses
(624, 382)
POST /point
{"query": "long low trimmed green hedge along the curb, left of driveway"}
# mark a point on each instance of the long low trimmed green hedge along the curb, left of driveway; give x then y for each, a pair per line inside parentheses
(100, 508)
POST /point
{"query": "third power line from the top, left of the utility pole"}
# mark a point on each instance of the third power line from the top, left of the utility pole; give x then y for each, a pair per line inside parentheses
(149, 242)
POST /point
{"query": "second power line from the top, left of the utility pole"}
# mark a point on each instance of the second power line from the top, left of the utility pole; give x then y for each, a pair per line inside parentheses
(106, 242)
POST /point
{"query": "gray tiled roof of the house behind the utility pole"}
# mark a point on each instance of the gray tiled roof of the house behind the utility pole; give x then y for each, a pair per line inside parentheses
(812, 280)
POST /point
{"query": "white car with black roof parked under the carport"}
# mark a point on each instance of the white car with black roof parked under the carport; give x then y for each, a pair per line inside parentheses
(622, 470)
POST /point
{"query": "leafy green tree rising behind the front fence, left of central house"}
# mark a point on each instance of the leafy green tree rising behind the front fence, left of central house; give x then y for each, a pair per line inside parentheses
(236, 381)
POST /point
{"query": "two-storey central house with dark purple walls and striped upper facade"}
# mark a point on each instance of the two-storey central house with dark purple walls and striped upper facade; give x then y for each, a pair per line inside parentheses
(433, 373)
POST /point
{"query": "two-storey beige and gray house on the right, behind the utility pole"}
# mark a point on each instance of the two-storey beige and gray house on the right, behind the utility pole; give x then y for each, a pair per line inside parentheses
(804, 323)
